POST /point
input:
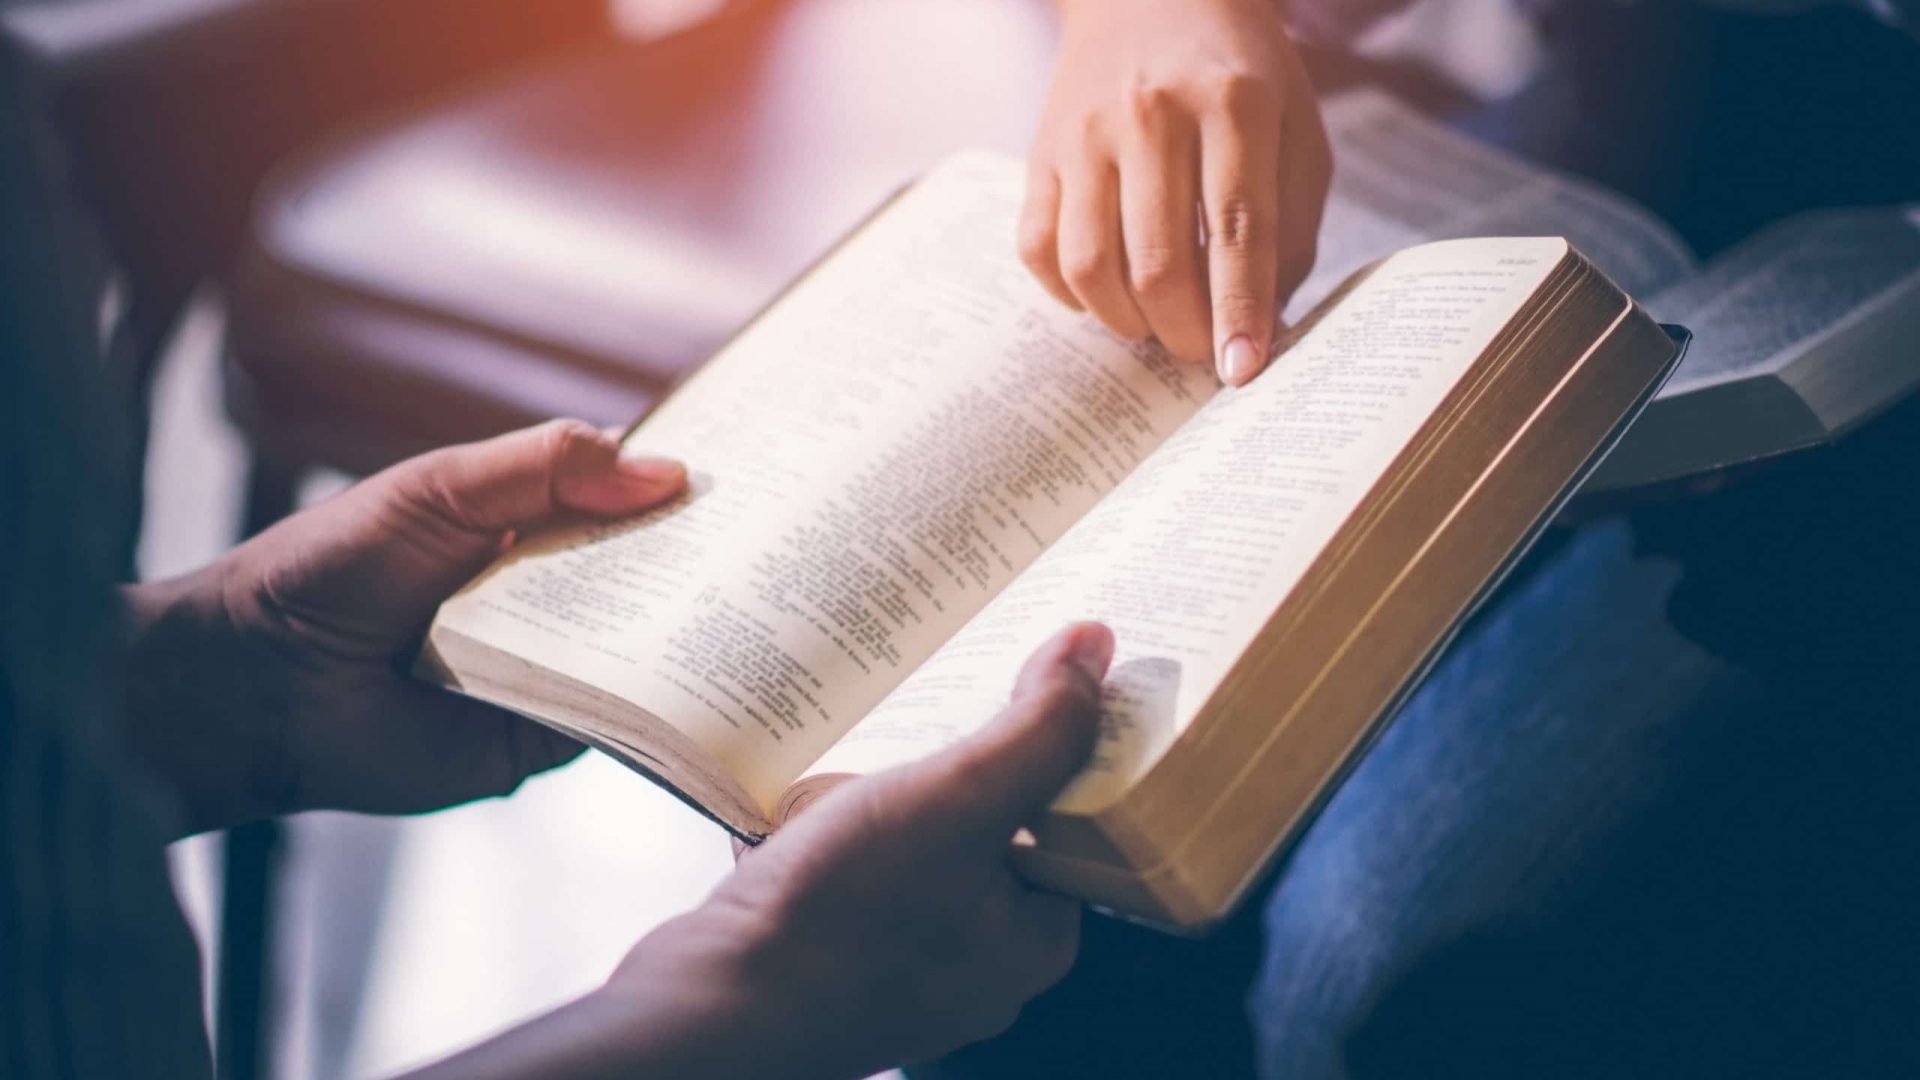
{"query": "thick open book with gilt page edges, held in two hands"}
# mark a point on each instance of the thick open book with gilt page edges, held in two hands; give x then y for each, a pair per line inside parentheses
(915, 468)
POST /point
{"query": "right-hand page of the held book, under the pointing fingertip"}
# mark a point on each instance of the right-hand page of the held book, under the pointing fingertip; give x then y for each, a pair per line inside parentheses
(1191, 556)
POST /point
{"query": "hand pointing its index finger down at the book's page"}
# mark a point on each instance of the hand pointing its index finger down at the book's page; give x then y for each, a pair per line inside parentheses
(1161, 107)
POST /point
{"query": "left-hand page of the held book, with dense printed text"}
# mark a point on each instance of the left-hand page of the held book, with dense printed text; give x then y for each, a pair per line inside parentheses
(871, 462)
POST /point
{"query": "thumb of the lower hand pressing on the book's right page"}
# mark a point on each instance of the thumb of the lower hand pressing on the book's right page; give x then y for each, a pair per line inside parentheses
(1003, 777)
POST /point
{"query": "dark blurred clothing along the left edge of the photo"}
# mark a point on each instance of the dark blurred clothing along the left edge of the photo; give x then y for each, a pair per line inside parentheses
(99, 975)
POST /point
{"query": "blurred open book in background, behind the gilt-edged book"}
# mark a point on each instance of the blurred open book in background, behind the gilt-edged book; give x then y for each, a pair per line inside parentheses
(1804, 331)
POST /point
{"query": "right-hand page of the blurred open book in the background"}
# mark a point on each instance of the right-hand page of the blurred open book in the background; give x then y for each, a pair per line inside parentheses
(1790, 285)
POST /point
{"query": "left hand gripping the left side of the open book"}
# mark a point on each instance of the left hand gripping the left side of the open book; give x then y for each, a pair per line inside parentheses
(276, 679)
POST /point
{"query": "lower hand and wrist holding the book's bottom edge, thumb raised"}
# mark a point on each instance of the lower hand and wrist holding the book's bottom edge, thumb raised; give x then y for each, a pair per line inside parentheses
(880, 927)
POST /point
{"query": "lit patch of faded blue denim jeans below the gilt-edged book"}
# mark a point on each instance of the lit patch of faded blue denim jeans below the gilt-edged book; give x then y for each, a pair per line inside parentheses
(1543, 731)
